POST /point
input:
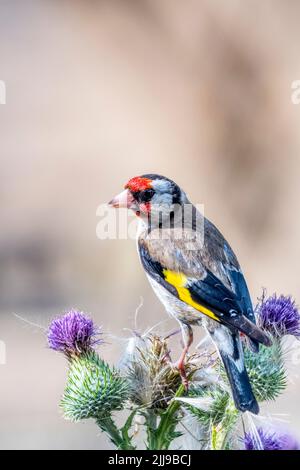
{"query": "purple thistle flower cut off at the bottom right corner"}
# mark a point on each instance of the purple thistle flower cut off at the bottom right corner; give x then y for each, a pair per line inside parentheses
(270, 440)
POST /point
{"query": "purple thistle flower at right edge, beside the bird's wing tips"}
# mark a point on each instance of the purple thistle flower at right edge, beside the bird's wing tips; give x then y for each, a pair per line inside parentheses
(279, 316)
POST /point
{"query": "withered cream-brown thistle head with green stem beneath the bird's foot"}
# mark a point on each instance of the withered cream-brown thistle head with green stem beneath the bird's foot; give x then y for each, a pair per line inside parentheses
(154, 383)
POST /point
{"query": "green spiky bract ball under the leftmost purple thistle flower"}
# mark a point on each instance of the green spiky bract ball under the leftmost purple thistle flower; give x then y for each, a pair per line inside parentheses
(93, 389)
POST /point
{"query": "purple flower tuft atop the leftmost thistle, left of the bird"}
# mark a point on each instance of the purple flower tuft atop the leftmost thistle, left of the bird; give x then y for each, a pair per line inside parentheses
(73, 333)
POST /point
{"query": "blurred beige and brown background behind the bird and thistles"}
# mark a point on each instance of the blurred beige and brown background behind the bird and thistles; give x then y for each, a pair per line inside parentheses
(98, 92)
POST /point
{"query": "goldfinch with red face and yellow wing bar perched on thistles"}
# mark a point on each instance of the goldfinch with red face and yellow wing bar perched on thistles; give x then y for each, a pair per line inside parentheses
(196, 275)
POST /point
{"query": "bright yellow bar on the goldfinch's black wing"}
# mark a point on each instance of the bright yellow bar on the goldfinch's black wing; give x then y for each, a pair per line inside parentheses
(180, 282)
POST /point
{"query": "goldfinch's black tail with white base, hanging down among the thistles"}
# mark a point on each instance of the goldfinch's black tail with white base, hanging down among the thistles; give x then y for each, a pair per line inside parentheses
(231, 352)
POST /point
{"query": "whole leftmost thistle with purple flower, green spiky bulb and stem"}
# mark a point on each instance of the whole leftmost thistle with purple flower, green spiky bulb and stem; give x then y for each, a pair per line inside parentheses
(93, 389)
